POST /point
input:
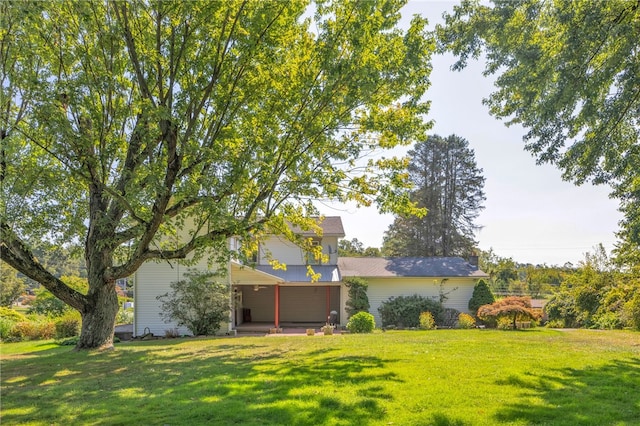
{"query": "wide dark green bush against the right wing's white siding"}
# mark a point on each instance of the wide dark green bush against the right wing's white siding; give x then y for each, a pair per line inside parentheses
(404, 311)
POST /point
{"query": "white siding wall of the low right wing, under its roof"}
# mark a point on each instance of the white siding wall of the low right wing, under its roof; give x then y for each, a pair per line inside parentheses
(457, 290)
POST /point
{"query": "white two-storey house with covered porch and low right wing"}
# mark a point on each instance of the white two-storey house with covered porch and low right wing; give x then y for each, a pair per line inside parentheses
(263, 296)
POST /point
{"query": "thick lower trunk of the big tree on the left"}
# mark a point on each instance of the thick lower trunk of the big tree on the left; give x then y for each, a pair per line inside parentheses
(99, 318)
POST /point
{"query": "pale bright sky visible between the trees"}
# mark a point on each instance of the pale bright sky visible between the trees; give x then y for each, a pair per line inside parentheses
(531, 215)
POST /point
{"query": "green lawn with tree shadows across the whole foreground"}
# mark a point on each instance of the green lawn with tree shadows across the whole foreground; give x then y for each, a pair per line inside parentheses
(446, 377)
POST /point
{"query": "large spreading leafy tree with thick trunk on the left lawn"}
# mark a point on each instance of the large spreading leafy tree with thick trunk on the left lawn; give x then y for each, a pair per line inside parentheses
(125, 125)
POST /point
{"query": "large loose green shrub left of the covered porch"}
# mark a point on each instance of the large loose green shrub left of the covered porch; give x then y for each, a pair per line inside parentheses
(198, 303)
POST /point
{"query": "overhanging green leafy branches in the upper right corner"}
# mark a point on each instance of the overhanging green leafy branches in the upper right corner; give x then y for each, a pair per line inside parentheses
(568, 71)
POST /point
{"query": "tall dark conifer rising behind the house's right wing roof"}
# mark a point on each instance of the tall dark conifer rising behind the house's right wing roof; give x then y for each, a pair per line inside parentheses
(449, 184)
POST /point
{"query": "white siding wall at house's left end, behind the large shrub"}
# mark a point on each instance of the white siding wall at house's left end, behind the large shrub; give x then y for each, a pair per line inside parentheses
(153, 279)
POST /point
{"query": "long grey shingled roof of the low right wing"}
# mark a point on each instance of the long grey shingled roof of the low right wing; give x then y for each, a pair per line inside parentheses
(386, 267)
